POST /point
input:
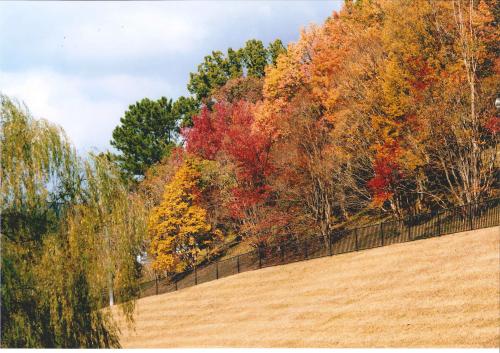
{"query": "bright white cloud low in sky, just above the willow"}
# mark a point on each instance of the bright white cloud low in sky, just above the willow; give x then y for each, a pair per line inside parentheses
(88, 109)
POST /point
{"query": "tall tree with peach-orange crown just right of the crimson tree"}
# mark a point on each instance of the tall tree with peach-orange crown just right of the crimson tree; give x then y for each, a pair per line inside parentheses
(315, 177)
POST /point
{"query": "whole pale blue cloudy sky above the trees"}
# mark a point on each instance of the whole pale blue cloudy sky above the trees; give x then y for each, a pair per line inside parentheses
(81, 64)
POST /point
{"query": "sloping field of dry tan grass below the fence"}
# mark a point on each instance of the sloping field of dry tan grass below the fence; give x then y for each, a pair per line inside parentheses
(439, 292)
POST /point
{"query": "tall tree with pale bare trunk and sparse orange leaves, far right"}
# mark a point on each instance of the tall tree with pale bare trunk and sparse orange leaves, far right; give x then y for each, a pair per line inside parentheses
(467, 165)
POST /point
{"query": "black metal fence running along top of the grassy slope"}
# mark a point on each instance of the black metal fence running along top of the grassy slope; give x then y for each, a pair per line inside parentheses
(473, 216)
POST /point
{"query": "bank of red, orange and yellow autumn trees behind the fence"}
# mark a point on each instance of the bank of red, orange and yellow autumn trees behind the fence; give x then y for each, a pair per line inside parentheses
(388, 107)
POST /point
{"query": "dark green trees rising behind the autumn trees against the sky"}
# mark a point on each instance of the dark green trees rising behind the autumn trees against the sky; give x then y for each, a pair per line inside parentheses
(150, 129)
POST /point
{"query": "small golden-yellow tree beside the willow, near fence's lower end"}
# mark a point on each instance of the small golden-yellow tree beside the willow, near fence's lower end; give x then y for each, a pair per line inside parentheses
(178, 227)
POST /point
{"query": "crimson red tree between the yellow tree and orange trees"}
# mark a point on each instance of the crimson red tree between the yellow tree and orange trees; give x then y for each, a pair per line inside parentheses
(225, 135)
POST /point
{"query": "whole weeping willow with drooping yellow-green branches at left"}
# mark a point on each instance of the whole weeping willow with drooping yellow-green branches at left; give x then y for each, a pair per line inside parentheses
(70, 233)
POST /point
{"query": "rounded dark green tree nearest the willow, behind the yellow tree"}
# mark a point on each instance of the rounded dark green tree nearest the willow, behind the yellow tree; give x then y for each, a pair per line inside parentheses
(147, 132)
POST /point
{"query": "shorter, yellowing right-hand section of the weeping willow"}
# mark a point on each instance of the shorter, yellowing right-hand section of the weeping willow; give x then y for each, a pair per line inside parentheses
(114, 220)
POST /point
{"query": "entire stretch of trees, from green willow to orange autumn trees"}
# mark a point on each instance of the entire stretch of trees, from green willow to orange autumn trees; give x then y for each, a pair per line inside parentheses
(386, 108)
